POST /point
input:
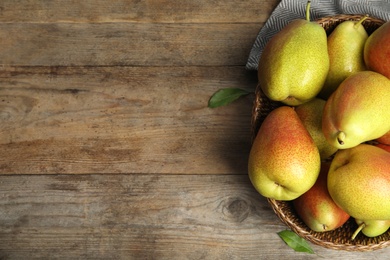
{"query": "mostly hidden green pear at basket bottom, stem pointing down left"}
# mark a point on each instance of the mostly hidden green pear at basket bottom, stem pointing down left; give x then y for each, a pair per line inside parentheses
(371, 228)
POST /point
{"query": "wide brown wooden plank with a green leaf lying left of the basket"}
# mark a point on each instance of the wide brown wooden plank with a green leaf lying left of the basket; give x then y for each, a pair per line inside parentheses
(122, 120)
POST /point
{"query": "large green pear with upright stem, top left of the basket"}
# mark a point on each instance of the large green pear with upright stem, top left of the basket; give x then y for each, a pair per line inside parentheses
(295, 62)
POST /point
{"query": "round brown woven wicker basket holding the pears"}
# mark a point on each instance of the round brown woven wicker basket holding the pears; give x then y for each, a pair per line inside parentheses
(340, 238)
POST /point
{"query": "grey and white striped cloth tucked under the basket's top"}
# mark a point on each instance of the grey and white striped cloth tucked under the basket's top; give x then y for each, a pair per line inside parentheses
(288, 10)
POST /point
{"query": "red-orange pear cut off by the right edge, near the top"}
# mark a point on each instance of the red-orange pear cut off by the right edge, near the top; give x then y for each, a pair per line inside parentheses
(377, 50)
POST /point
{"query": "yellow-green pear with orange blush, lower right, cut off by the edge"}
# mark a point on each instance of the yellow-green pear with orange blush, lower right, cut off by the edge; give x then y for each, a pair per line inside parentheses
(359, 182)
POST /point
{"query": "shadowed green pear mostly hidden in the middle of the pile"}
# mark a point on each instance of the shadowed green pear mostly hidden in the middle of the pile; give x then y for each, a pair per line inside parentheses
(310, 114)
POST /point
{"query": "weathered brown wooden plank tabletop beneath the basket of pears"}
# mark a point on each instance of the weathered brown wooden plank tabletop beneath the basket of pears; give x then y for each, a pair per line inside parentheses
(108, 148)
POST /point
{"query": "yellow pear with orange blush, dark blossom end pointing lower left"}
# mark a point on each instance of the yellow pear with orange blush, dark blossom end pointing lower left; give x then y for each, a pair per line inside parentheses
(358, 111)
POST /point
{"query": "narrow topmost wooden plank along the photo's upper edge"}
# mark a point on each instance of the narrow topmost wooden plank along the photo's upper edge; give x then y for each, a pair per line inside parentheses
(151, 11)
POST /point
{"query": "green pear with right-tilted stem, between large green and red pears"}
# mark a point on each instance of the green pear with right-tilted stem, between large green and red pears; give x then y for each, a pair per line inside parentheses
(345, 48)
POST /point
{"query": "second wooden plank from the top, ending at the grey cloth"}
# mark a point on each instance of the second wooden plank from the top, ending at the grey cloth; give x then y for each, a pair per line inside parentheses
(126, 44)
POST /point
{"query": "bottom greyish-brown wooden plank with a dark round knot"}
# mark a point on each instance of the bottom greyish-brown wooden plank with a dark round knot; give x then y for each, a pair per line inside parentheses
(142, 217)
